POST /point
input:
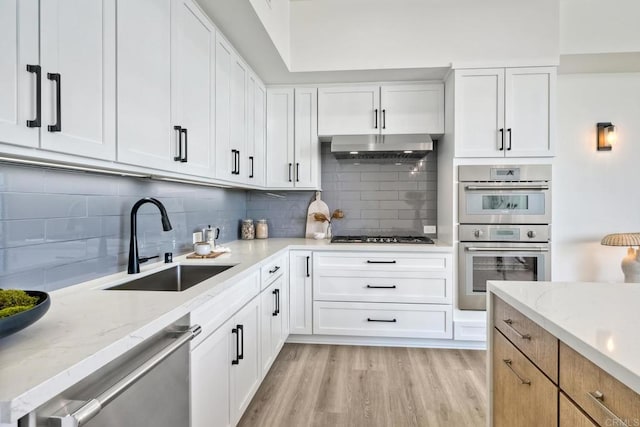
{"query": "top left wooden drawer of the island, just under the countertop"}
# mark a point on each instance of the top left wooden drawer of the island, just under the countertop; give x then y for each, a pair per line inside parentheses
(535, 342)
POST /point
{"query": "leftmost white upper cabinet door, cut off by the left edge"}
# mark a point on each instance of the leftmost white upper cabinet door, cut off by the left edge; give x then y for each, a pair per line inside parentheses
(19, 47)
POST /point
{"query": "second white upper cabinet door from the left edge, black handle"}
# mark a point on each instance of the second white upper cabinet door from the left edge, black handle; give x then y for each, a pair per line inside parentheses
(77, 53)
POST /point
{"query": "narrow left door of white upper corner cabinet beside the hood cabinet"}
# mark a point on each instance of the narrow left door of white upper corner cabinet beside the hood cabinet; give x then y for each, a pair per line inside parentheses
(280, 136)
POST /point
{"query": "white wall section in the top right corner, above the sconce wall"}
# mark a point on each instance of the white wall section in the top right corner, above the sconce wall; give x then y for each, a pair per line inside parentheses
(599, 26)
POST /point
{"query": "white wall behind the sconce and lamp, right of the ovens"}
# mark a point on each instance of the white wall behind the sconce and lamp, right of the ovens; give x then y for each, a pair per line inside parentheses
(595, 193)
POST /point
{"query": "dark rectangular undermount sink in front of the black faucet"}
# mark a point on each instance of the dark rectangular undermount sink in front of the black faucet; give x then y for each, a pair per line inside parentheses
(176, 279)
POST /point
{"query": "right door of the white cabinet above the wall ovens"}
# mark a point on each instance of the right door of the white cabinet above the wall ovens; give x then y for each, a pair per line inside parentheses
(530, 111)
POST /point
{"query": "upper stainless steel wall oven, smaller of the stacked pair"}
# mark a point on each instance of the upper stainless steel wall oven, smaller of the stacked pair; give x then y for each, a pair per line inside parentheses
(504, 194)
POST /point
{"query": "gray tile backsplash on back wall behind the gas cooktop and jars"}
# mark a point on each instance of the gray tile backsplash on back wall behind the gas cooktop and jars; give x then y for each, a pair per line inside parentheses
(375, 198)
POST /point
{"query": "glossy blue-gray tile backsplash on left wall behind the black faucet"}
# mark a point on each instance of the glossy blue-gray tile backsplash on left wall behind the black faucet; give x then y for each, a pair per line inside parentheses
(58, 228)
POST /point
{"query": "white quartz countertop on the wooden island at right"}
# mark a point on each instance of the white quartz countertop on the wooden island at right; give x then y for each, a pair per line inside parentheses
(598, 320)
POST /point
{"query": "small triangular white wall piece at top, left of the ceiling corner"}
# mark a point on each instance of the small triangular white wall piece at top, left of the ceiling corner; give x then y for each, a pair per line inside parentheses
(274, 15)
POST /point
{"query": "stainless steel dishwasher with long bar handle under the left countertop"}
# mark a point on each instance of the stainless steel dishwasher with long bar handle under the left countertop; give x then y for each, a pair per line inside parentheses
(147, 386)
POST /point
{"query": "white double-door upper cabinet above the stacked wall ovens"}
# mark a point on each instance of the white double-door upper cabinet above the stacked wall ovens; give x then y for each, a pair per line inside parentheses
(505, 112)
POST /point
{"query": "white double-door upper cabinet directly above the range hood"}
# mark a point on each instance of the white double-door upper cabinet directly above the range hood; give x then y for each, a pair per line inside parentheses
(386, 109)
